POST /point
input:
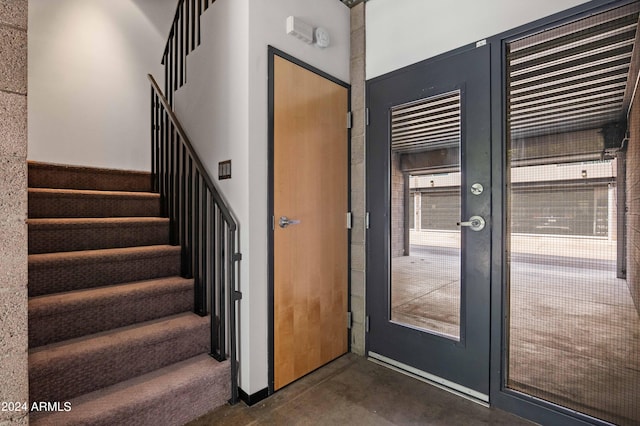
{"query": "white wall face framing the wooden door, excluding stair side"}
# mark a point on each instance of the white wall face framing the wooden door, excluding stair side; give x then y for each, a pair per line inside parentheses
(267, 23)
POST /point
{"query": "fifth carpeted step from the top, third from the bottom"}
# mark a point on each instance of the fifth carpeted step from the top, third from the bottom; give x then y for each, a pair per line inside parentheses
(62, 316)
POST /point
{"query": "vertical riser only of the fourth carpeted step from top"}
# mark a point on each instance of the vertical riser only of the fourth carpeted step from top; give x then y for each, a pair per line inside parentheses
(62, 276)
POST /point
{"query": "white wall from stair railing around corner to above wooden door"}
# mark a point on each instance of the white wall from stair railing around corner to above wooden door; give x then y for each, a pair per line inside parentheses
(224, 108)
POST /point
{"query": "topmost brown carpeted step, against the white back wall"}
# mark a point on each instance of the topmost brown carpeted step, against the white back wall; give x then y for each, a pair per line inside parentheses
(45, 175)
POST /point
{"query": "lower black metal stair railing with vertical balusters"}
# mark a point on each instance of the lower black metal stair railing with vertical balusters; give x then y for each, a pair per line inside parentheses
(201, 223)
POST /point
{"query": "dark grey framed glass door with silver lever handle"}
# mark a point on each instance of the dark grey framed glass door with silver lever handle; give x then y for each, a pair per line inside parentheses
(429, 236)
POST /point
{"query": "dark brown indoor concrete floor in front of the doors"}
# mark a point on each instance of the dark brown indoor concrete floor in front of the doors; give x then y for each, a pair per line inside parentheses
(354, 391)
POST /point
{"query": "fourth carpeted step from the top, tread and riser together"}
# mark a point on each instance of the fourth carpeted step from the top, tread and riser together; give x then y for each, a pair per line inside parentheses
(66, 271)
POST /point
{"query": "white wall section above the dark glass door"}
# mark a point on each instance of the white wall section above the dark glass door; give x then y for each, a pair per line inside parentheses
(404, 32)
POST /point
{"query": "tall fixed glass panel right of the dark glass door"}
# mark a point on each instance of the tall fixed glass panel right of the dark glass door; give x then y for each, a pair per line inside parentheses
(573, 328)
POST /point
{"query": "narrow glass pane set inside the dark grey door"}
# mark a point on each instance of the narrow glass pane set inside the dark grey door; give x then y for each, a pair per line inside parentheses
(425, 253)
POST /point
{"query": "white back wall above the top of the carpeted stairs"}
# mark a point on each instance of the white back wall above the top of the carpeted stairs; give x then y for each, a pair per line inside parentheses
(88, 91)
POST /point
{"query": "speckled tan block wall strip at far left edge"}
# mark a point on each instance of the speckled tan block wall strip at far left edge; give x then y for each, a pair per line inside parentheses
(13, 208)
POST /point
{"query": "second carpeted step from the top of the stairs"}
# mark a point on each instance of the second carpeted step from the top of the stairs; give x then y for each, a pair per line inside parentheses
(59, 203)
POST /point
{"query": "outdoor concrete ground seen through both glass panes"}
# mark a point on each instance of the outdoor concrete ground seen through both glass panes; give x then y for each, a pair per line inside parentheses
(574, 330)
